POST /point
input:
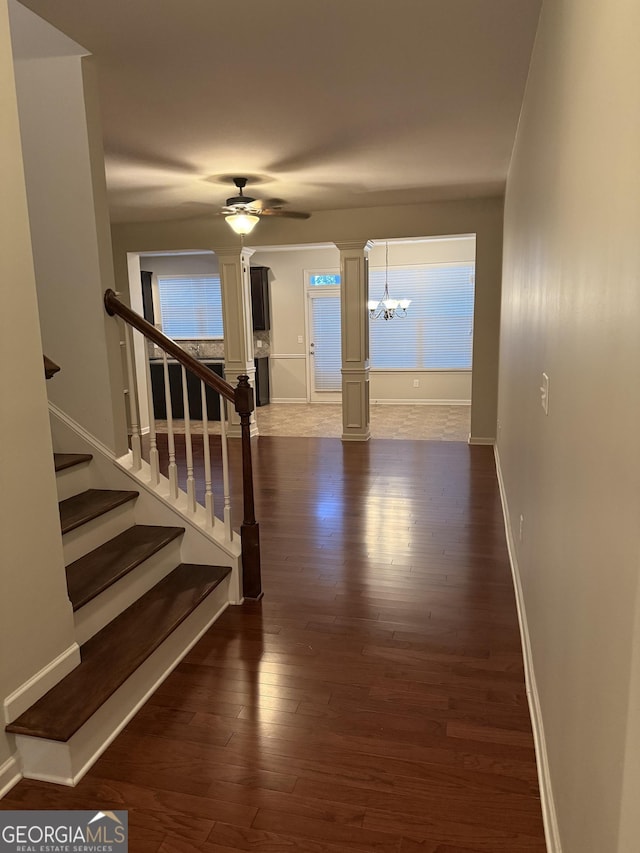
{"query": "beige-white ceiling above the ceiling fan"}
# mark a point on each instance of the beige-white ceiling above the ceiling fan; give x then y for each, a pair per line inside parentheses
(325, 104)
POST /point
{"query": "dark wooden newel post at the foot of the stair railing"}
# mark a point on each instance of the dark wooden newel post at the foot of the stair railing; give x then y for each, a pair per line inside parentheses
(250, 529)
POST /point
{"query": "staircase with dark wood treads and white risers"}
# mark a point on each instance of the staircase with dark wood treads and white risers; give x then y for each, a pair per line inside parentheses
(137, 608)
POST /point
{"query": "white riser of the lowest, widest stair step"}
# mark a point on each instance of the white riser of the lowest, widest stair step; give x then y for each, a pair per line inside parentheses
(66, 763)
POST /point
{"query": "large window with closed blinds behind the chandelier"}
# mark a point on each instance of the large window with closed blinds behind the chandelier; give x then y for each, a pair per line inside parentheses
(437, 332)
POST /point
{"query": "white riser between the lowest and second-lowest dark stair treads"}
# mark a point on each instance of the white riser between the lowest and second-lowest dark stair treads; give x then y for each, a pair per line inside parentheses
(105, 607)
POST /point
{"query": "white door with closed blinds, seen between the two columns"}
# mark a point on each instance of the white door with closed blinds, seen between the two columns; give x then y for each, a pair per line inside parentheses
(325, 350)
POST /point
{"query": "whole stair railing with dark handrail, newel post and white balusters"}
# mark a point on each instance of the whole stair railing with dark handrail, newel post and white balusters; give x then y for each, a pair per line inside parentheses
(242, 399)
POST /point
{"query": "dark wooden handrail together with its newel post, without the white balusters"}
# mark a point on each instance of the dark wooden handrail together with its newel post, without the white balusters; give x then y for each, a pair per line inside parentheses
(242, 398)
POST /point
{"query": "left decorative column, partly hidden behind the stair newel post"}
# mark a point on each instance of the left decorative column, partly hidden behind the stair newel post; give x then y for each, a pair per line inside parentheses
(233, 266)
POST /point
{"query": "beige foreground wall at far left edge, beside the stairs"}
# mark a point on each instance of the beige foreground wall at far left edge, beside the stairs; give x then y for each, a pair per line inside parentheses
(36, 622)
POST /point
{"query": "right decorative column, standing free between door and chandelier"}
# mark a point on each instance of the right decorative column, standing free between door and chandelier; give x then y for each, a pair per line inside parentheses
(354, 289)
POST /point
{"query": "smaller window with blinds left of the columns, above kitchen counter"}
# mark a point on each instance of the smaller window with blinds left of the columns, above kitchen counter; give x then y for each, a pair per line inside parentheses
(191, 306)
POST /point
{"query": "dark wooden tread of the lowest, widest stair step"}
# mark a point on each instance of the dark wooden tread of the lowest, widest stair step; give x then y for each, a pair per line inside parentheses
(114, 653)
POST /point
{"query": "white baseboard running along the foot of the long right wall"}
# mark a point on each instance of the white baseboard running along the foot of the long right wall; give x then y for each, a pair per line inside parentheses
(549, 816)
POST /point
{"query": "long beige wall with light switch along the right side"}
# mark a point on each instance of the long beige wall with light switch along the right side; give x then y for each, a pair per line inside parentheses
(571, 308)
